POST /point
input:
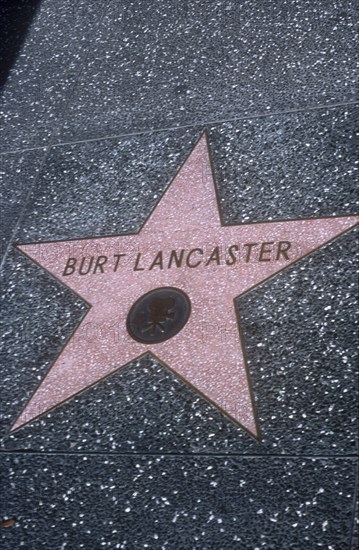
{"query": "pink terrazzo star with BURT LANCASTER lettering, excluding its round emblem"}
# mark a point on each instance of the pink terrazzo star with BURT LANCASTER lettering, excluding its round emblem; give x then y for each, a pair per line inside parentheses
(218, 263)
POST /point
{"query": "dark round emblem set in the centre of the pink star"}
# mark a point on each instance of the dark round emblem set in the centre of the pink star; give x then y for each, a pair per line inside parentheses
(158, 315)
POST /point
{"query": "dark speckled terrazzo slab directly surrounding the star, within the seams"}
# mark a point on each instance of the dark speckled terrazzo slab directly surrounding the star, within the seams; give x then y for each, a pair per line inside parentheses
(299, 327)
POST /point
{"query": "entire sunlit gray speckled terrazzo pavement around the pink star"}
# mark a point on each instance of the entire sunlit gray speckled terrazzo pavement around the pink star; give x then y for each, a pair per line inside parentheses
(139, 460)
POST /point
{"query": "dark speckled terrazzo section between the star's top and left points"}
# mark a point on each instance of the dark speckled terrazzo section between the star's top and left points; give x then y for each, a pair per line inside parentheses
(103, 187)
